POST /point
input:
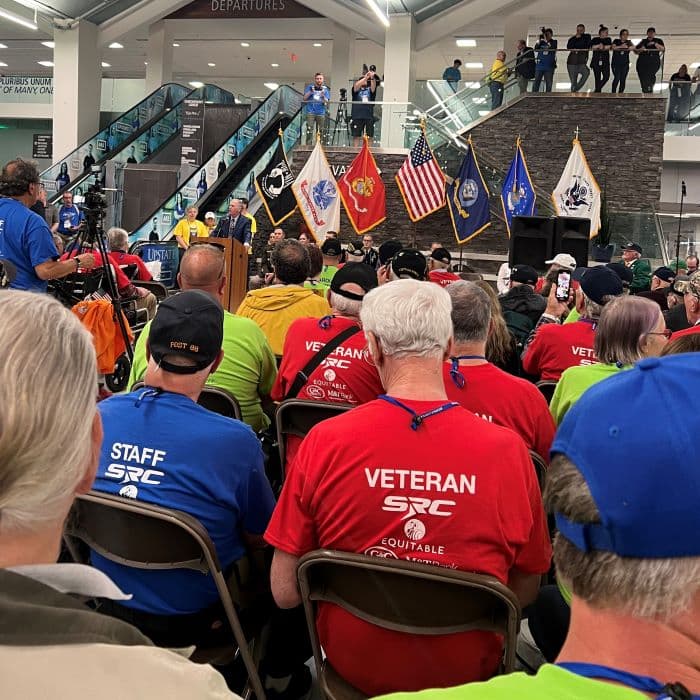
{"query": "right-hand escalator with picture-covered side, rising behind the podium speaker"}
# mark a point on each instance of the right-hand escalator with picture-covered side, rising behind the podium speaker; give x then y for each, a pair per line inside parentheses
(216, 181)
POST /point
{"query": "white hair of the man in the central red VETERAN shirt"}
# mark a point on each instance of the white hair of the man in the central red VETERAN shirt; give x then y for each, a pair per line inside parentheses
(409, 318)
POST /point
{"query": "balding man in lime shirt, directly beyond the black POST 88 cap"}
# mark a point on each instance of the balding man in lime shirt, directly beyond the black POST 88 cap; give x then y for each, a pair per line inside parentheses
(248, 367)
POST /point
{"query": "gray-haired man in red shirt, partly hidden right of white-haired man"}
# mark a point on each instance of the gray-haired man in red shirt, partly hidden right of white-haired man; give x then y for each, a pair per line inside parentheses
(483, 388)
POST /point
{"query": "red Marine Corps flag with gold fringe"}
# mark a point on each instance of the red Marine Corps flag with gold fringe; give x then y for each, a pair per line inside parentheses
(362, 191)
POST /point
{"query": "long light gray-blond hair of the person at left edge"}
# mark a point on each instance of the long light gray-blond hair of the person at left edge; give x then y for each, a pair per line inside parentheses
(48, 378)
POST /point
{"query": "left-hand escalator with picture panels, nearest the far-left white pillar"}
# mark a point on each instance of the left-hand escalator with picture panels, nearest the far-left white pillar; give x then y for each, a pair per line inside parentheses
(145, 141)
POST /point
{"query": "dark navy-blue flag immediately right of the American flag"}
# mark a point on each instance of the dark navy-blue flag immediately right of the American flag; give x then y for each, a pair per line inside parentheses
(468, 199)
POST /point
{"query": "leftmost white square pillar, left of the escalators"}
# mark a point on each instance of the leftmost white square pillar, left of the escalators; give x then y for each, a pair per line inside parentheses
(77, 77)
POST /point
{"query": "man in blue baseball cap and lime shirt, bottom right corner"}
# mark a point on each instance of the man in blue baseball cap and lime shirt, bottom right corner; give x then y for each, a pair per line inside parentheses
(625, 496)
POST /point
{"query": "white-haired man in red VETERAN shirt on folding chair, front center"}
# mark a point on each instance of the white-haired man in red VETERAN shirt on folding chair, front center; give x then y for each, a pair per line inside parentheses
(410, 492)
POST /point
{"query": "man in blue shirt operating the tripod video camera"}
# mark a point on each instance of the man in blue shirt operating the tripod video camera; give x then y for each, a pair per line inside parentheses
(27, 250)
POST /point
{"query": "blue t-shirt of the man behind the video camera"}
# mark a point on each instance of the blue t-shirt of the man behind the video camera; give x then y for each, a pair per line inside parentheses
(25, 240)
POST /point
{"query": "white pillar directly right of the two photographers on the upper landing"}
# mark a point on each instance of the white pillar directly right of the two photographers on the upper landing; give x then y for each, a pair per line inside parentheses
(399, 78)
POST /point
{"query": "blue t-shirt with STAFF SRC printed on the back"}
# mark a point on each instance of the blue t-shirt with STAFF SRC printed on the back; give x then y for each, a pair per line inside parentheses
(163, 448)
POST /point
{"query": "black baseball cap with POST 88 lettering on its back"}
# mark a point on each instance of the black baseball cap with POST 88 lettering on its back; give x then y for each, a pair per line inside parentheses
(189, 325)
